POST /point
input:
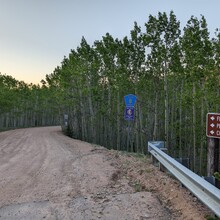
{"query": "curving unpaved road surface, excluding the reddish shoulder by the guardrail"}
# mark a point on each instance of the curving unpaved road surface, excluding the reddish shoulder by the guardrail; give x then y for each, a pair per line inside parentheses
(46, 175)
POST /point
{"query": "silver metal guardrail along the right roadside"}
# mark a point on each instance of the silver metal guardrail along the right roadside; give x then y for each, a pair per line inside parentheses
(202, 189)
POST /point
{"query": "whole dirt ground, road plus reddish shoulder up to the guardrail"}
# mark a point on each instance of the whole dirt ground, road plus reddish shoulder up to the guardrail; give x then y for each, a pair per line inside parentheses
(46, 175)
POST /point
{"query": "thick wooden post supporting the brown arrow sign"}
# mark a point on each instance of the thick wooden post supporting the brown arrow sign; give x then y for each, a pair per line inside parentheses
(213, 156)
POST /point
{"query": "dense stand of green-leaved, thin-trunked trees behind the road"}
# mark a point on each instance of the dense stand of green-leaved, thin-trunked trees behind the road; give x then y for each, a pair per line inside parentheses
(174, 74)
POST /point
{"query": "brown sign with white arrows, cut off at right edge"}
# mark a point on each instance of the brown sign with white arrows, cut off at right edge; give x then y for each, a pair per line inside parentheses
(213, 125)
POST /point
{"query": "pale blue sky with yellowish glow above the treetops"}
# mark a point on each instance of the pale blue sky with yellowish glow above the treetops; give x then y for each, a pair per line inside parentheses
(36, 34)
